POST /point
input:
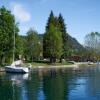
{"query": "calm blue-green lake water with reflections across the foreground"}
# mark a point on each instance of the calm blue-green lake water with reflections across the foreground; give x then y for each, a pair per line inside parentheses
(52, 84)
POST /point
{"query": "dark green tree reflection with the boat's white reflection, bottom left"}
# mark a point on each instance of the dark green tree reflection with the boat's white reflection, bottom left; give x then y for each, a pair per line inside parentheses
(12, 86)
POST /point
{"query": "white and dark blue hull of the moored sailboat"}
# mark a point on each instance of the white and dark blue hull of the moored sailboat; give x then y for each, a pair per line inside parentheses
(16, 69)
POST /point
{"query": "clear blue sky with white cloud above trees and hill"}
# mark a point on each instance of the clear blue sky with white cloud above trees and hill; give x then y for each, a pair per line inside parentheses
(81, 16)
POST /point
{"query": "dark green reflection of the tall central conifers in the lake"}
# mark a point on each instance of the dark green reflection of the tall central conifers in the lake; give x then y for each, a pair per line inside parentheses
(55, 87)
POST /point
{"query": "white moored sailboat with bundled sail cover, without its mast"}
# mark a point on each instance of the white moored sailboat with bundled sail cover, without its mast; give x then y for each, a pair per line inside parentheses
(17, 67)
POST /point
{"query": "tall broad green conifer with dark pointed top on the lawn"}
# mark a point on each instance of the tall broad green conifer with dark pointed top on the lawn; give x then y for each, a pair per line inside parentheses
(52, 40)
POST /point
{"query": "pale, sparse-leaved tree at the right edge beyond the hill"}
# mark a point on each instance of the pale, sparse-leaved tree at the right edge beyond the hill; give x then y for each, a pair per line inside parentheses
(92, 44)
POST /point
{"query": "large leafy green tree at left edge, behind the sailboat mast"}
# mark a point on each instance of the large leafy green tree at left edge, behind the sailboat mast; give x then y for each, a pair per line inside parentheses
(7, 27)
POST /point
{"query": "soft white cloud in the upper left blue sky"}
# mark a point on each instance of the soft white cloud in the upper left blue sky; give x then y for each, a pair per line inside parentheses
(20, 13)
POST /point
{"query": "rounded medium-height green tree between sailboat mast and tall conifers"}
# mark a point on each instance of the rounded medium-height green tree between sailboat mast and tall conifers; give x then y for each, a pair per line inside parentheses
(33, 45)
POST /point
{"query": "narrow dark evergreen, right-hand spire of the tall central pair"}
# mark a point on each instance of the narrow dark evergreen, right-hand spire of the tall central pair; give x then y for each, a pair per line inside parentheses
(64, 34)
